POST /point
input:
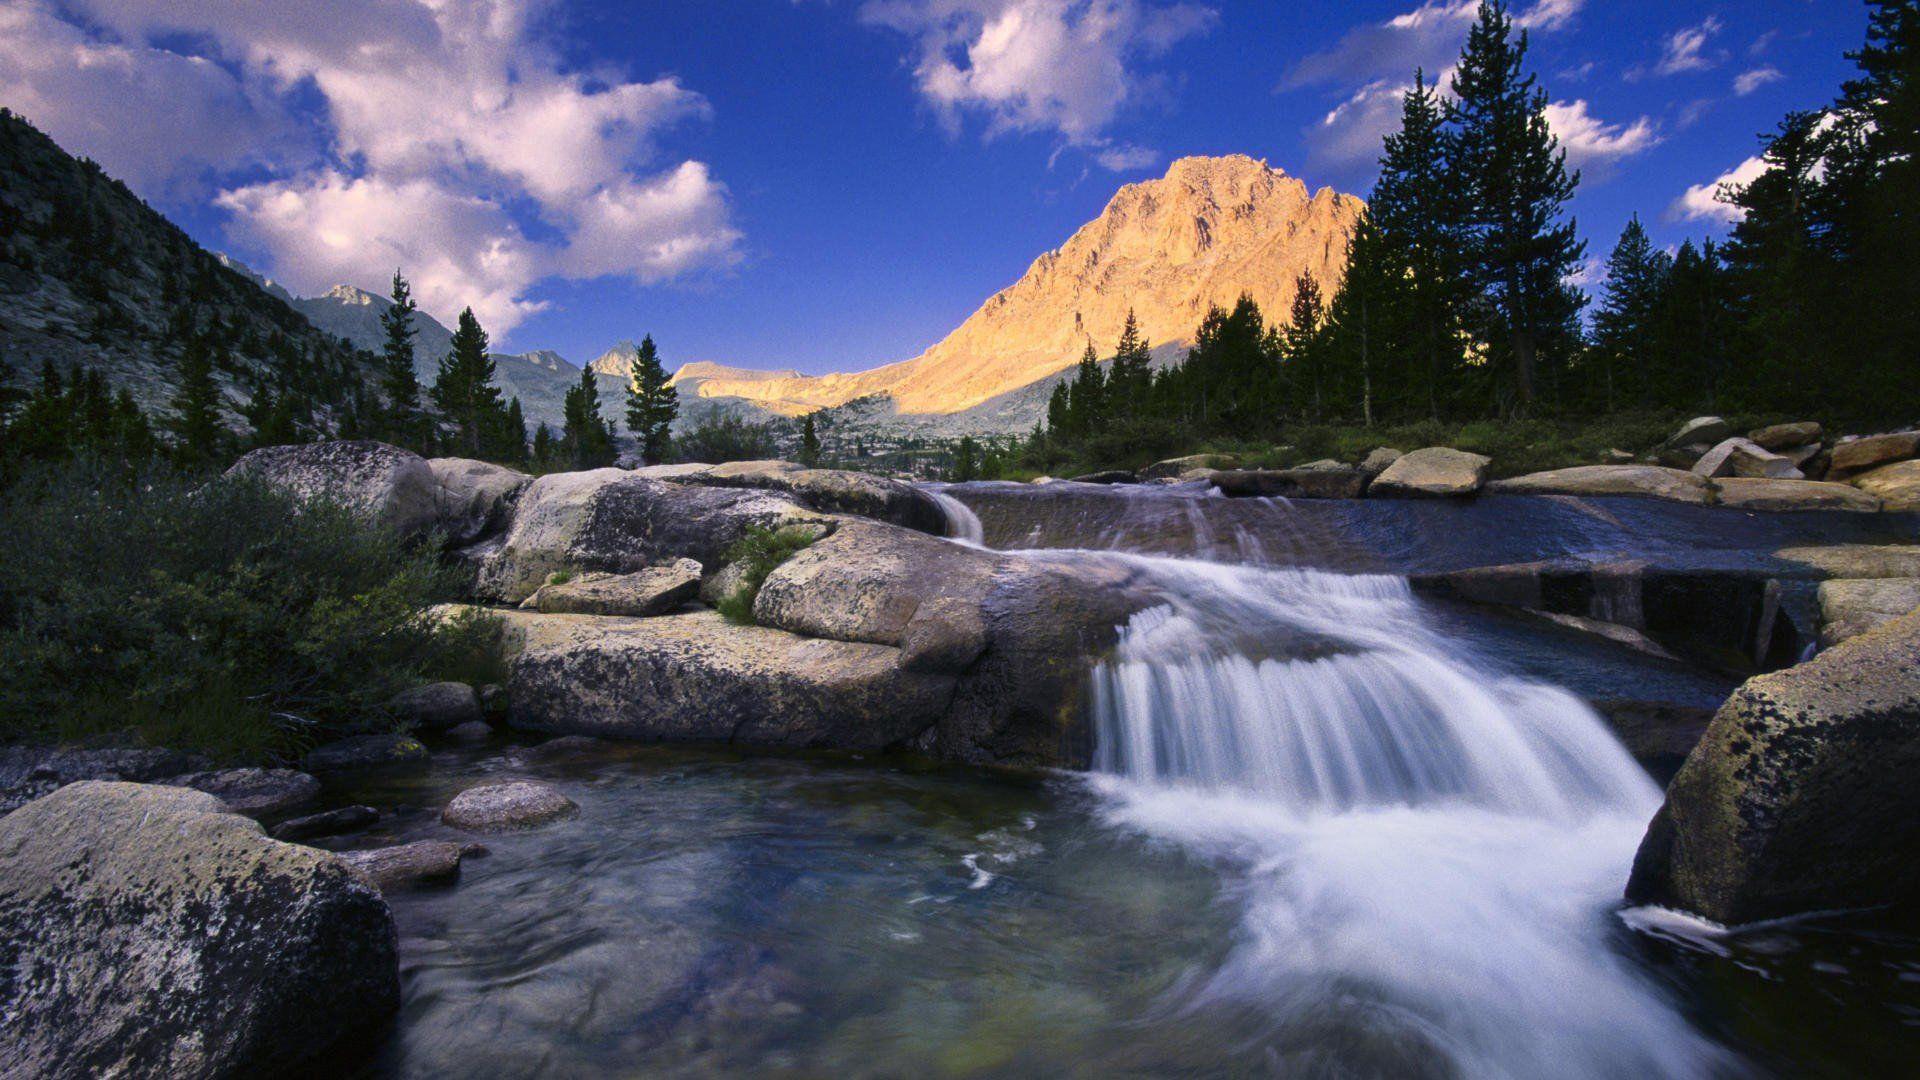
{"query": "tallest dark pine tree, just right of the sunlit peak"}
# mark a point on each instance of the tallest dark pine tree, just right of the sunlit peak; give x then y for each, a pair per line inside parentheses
(1516, 189)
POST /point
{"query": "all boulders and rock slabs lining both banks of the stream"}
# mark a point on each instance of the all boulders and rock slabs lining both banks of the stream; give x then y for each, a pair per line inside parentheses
(875, 633)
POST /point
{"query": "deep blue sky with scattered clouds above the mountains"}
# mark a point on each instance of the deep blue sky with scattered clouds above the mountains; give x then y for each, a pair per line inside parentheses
(823, 184)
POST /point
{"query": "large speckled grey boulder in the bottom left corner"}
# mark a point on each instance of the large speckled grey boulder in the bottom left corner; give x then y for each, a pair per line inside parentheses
(149, 933)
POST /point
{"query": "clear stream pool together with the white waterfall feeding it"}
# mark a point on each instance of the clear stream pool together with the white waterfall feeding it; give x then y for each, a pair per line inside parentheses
(1335, 833)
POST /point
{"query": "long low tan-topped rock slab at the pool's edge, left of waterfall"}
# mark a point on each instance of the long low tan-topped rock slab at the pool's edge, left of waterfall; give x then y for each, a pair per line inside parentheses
(700, 679)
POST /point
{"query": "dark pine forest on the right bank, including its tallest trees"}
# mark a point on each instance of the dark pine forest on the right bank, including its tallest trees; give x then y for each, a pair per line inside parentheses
(1456, 318)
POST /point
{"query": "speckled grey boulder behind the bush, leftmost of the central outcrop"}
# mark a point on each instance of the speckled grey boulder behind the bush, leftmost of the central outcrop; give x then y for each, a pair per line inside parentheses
(379, 481)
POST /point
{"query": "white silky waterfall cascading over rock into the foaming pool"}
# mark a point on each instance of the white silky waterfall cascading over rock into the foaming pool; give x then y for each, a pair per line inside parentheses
(1426, 856)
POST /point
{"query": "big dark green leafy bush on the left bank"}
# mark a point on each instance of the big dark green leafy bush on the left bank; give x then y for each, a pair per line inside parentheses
(206, 614)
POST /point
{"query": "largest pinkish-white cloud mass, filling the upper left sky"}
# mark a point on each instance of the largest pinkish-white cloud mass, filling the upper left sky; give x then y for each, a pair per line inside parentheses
(443, 137)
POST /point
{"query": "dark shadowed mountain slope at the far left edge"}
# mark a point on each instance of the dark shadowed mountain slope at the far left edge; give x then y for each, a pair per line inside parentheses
(91, 276)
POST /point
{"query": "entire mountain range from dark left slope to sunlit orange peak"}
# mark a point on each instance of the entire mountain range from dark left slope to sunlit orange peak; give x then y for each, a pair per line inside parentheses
(93, 276)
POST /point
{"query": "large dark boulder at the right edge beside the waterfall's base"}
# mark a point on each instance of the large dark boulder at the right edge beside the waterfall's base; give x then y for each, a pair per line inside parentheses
(1800, 797)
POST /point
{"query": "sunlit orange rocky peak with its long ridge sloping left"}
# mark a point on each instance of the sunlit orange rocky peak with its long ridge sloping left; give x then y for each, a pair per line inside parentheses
(1170, 249)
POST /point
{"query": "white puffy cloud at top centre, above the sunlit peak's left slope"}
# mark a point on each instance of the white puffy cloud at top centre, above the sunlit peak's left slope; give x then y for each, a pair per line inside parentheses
(1053, 66)
